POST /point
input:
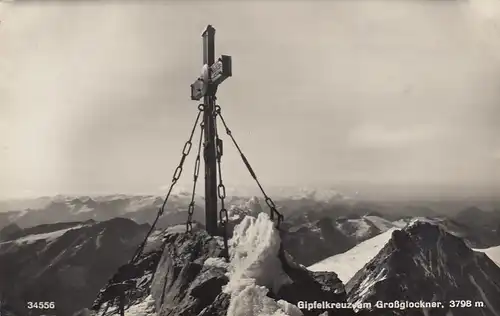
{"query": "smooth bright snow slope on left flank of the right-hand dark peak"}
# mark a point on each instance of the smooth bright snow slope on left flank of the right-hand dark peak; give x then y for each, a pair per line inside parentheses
(348, 263)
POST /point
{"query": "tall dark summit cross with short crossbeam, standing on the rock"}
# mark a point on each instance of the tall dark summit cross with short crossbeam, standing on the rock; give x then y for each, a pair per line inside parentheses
(213, 74)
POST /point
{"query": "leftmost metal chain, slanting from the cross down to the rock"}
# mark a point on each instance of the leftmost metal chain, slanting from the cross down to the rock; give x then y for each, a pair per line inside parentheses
(177, 173)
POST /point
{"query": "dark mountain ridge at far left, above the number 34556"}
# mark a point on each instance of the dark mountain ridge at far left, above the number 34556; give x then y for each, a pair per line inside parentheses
(65, 263)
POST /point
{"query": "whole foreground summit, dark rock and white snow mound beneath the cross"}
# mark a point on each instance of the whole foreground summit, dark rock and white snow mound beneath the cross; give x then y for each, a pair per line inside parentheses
(259, 279)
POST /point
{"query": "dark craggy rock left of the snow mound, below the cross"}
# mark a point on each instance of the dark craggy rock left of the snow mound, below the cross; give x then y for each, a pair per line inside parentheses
(175, 276)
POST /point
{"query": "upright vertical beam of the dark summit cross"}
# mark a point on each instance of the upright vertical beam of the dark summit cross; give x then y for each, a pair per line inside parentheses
(209, 122)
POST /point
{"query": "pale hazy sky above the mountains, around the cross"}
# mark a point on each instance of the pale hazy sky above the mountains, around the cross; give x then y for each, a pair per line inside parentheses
(94, 98)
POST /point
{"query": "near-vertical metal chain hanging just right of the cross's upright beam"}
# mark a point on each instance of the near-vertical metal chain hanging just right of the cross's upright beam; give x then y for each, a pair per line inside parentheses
(221, 191)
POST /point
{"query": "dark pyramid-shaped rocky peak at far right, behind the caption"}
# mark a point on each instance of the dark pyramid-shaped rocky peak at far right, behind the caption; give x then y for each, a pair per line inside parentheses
(424, 262)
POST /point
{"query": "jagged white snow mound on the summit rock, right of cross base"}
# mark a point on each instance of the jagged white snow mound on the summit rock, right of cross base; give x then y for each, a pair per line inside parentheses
(254, 269)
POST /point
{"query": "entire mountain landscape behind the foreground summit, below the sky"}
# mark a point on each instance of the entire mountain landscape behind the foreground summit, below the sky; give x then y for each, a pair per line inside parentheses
(74, 245)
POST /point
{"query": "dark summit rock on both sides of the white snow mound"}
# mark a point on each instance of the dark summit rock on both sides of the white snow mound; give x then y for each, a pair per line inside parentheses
(190, 276)
